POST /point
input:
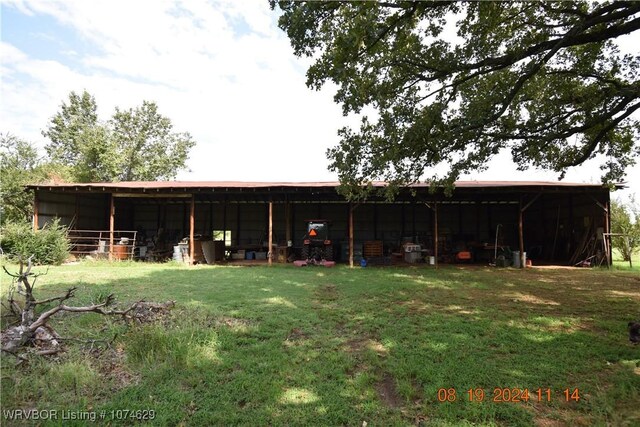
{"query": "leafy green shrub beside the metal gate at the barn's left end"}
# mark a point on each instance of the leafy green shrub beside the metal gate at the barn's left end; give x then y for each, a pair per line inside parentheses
(48, 245)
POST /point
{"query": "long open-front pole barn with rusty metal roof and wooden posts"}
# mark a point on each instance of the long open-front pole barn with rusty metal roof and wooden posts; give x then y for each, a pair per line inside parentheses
(481, 222)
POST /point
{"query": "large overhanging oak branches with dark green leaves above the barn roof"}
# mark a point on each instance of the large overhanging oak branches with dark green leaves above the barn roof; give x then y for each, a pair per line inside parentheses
(453, 83)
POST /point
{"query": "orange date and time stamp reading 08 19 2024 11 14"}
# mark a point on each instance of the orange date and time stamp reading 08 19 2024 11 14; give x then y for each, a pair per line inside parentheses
(508, 395)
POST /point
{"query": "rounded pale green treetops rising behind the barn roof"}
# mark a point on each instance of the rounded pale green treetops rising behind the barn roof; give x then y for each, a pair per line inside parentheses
(138, 144)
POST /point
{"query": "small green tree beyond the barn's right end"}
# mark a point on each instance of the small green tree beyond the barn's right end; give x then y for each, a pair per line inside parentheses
(625, 219)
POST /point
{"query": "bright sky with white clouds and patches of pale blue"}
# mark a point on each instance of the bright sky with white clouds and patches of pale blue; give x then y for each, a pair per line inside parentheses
(221, 70)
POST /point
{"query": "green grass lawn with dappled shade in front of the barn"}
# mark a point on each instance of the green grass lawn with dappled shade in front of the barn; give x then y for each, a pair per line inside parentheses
(320, 346)
